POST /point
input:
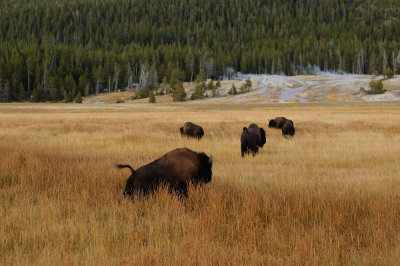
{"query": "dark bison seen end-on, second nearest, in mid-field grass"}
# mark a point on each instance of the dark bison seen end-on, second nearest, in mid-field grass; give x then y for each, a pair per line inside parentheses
(252, 138)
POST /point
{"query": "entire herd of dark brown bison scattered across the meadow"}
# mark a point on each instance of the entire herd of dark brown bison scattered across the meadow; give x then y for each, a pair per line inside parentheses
(179, 167)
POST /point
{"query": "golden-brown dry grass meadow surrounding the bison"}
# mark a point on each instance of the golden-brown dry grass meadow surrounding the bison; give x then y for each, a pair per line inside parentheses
(328, 196)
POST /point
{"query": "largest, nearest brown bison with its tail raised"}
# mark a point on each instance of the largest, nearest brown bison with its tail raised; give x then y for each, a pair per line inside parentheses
(175, 169)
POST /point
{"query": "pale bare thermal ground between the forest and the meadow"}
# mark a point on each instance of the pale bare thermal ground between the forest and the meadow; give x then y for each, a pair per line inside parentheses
(284, 89)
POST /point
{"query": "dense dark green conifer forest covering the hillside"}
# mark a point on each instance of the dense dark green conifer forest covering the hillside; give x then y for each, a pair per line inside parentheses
(54, 50)
